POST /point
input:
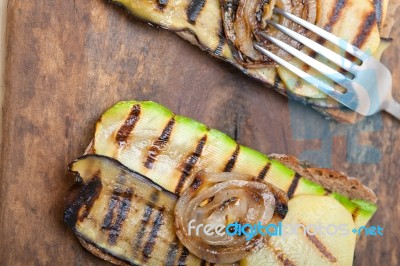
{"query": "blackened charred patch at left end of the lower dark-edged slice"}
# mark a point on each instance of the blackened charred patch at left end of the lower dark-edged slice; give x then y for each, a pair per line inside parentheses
(88, 194)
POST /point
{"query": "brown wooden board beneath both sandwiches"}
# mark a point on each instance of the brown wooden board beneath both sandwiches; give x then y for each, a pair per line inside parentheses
(68, 61)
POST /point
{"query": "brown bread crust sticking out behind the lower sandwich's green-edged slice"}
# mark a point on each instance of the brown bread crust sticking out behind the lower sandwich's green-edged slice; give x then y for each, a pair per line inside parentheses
(330, 179)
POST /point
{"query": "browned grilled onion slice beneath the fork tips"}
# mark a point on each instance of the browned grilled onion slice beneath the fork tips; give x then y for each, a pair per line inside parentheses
(243, 20)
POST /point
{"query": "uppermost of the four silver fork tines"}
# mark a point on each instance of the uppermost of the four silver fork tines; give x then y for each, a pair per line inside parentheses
(326, 35)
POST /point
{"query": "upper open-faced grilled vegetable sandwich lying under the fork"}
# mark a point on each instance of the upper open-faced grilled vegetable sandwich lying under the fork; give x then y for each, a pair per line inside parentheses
(228, 30)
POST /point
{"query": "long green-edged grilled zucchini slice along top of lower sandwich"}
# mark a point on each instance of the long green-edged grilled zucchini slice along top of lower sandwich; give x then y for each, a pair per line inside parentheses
(169, 149)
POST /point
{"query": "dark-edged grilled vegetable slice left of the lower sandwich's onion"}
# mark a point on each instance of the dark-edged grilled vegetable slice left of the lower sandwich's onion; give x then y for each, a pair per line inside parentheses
(124, 214)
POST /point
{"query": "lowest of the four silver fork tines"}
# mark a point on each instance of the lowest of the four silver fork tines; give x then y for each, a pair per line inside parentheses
(325, 88)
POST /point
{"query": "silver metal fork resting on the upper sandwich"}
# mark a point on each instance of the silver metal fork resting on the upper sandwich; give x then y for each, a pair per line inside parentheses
(369, 92)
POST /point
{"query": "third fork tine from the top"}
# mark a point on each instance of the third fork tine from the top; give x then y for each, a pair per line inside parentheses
(320, 67)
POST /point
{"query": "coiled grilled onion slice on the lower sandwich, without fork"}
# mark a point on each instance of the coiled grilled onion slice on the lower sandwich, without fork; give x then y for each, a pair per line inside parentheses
(221, 199)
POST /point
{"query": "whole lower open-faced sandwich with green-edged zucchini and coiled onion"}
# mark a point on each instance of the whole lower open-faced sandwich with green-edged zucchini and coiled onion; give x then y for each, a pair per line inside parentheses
(155, 188)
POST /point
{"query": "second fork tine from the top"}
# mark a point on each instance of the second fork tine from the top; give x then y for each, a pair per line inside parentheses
(329, 54)
